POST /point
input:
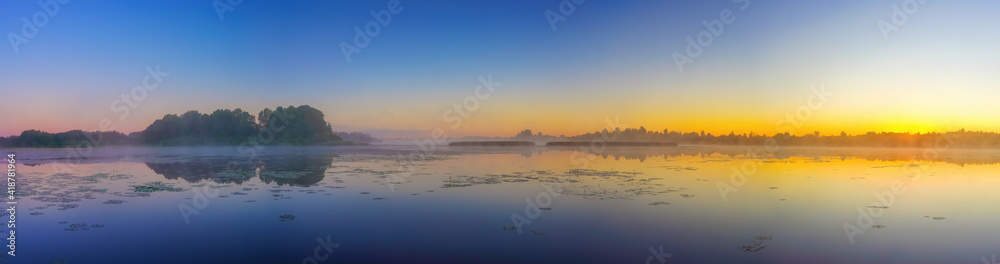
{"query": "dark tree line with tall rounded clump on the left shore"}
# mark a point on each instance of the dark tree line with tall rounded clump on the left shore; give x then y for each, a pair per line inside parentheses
(302, 125)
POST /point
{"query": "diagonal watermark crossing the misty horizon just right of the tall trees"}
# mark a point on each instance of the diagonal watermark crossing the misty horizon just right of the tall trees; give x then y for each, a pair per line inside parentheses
(455, 115)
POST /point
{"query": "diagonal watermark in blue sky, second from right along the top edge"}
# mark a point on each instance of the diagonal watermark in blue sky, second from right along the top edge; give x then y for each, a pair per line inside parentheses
(713, 29)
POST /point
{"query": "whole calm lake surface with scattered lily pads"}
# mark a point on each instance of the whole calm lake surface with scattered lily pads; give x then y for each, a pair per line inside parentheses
(396, 204)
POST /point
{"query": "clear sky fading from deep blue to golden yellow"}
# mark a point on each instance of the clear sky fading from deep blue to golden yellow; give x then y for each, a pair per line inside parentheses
(935, 70)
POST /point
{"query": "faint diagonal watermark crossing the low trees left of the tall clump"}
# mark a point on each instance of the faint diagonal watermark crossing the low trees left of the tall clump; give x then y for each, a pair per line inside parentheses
(121, 106)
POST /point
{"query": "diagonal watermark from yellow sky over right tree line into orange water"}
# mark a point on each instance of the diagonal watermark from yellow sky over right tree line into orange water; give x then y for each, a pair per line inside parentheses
(787, 124)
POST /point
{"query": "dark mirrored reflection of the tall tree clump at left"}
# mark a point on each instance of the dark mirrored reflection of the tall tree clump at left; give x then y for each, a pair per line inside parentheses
(299, 170)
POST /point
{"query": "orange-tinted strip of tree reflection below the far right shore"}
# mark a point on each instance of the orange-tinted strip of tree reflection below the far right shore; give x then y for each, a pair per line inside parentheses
(959, 157)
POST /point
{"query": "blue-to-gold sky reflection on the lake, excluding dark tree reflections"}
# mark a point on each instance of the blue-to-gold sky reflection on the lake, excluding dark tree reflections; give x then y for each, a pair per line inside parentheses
(464, 224)
